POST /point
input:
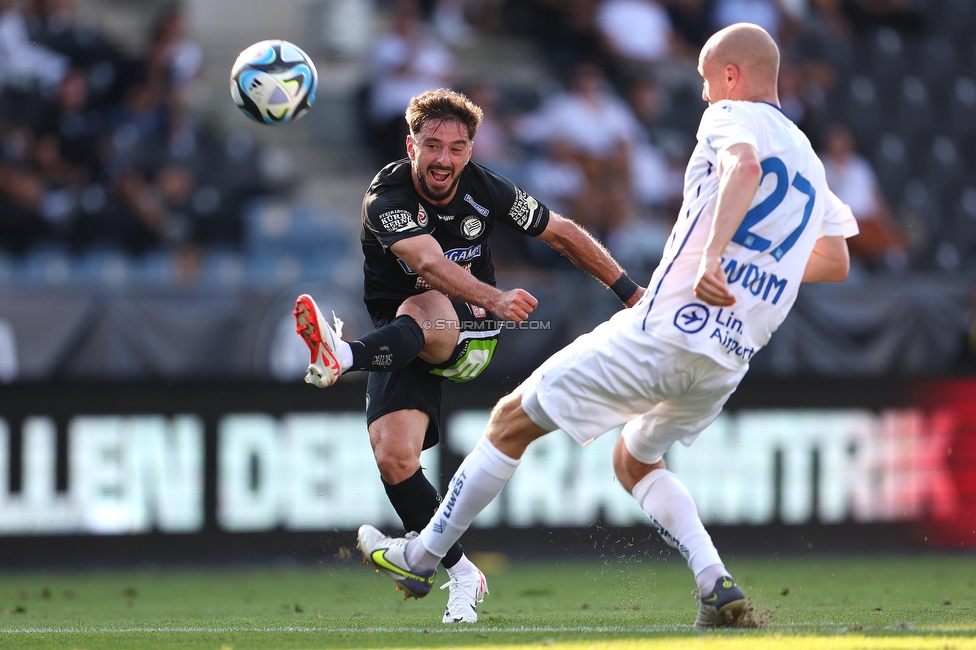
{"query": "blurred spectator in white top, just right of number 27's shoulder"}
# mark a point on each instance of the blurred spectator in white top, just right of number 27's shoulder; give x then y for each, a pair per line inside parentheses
(880, 243)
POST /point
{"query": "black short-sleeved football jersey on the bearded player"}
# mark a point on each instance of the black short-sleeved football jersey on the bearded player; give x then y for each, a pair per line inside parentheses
(393, 210)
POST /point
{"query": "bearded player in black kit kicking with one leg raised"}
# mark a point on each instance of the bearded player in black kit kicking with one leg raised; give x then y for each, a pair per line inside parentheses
(430, 291)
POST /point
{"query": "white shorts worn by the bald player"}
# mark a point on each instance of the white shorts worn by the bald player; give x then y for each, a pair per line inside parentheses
(620, 374)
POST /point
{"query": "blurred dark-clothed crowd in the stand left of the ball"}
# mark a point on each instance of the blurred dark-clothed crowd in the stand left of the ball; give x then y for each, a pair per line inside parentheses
(98, 146)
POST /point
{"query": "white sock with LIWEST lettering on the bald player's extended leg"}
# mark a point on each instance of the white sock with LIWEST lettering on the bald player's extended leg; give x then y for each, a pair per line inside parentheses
(476, 483)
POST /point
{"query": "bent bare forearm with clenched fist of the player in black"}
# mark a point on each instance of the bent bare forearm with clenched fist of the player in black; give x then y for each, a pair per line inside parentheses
(423, 254)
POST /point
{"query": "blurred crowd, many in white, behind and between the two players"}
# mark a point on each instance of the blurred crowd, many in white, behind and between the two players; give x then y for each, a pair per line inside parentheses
(605, 135)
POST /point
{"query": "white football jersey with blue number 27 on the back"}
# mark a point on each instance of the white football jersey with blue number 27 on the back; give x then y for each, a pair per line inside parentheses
(765, 260)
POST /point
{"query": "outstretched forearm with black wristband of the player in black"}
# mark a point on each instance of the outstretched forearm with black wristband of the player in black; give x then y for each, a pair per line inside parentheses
(569, 238)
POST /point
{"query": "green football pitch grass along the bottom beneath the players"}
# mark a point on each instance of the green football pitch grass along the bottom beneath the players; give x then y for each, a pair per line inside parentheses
(843, 602)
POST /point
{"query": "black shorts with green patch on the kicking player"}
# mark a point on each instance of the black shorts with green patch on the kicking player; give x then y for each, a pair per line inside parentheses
(418, 384)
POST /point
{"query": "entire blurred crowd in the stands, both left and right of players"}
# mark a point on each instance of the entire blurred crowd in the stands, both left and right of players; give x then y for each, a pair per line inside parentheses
(99, 146)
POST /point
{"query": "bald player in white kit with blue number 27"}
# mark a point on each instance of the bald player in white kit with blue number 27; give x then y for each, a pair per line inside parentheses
(757, 220)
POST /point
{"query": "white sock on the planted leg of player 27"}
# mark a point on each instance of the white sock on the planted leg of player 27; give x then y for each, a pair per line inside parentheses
(672, 511)
